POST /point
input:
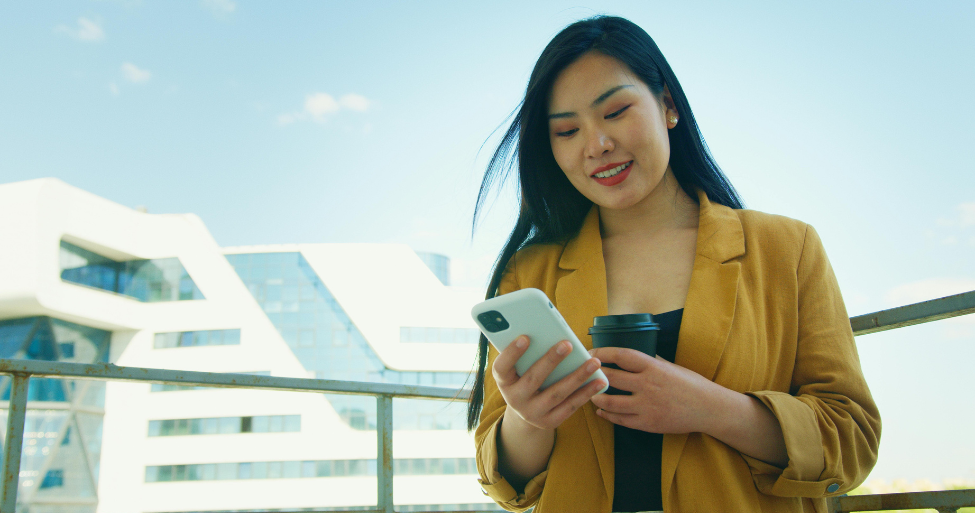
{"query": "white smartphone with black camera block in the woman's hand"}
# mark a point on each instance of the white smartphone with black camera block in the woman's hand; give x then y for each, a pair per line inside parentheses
(504, 318)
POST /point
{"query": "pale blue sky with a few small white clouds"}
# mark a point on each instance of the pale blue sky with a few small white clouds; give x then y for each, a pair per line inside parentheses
(364, 122)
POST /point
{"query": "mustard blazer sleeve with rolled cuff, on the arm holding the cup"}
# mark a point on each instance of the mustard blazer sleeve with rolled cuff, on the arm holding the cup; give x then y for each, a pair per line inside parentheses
(829, 419)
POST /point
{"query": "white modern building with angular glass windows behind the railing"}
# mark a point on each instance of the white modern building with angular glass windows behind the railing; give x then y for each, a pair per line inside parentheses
(83, 279)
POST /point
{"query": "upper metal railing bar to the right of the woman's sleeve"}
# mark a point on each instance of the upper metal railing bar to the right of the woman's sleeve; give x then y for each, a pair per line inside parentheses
(917, 313)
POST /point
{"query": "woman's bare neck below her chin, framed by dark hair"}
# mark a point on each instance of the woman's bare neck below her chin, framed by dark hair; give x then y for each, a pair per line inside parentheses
(668, 207)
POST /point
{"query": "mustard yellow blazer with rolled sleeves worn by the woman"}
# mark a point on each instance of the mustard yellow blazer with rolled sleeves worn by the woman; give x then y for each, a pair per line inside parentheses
(763, 316)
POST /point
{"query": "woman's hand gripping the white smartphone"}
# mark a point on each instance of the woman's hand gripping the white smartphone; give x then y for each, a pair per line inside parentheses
(543, 409)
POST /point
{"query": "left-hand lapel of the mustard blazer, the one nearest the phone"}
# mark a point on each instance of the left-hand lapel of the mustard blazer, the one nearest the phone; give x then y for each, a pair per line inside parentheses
(580, 296)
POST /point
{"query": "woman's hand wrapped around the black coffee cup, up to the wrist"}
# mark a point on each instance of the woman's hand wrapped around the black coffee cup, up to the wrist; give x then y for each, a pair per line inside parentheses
(666, 398)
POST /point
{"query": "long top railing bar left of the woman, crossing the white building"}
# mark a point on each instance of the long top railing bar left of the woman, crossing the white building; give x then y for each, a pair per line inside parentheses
(107, 371)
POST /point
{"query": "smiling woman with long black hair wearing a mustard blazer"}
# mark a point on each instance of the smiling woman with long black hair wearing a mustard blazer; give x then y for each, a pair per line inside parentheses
(756, 400)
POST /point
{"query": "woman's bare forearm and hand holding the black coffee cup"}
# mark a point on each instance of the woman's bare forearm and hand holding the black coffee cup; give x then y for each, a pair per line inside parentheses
(667, 398)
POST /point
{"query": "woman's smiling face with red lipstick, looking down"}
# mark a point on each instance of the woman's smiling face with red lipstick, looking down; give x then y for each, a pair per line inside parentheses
(609, 131)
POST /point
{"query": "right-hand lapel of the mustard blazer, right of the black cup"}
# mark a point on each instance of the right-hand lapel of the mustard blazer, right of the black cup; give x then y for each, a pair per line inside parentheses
(708, 310)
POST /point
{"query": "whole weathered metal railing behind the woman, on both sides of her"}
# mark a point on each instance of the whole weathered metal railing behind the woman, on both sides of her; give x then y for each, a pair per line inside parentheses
(22, 370)
